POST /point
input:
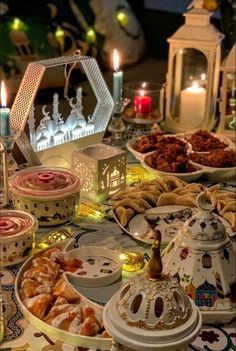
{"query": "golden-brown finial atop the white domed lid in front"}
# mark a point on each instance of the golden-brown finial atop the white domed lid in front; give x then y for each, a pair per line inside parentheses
(154, 268)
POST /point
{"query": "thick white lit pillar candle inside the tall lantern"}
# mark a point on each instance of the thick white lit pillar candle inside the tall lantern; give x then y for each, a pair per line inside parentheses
(192, 105)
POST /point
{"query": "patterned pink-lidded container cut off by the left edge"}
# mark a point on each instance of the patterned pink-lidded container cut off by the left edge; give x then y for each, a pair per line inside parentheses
(17, 229)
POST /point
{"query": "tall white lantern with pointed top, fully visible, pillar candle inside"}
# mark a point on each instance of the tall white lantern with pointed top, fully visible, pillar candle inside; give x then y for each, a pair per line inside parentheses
(193, 72)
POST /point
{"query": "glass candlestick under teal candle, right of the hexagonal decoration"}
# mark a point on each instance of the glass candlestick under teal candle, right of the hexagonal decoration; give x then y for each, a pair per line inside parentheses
(117, 126)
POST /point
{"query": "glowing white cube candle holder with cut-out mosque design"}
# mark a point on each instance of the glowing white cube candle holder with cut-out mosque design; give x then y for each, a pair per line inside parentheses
(102, 169)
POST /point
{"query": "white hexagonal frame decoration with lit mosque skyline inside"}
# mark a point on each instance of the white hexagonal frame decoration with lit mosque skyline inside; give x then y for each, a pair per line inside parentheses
(57, 150)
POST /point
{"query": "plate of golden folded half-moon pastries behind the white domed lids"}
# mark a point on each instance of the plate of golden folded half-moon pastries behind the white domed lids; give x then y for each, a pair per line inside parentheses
(170, 199)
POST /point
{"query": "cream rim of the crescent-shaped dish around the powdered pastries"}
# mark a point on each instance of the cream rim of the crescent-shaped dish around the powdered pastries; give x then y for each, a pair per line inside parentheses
(56, 333)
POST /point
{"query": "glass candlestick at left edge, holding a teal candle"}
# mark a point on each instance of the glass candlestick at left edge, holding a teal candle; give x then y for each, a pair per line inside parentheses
(8, 166)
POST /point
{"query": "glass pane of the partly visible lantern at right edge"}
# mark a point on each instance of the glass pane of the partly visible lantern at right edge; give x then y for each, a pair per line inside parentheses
(230, 106)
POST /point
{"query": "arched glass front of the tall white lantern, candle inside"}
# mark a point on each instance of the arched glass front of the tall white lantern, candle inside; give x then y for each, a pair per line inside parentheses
(188, 90)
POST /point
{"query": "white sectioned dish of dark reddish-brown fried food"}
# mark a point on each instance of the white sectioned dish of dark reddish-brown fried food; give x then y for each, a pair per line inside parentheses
(187, 156)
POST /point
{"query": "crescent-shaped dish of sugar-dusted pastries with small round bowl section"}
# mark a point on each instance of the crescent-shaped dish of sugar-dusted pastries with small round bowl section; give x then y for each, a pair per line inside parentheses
(51, 302)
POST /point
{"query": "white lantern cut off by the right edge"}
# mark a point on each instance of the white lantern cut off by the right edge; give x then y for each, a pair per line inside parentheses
(227, 123)
